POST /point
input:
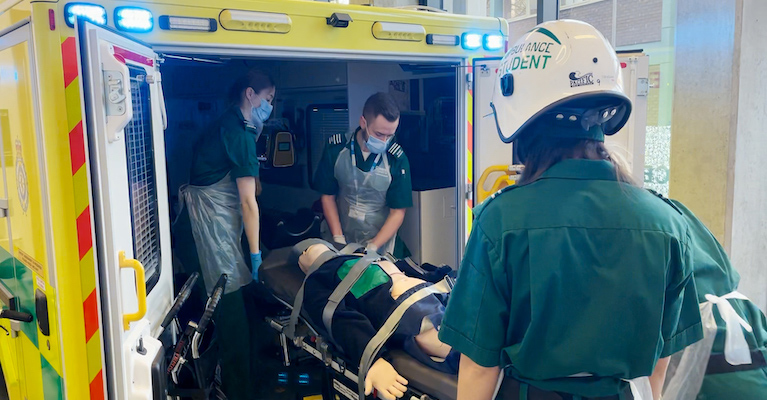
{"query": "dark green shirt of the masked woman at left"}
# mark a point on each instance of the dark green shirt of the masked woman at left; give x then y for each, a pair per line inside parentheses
(227, 146)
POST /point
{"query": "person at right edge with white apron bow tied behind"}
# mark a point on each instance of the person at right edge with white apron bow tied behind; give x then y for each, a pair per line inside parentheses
(737, 371)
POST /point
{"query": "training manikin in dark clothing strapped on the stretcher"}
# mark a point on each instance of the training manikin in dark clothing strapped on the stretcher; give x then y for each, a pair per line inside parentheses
(367, 306)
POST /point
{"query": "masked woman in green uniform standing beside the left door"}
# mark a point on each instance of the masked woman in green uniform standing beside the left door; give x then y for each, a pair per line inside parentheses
(221, 203)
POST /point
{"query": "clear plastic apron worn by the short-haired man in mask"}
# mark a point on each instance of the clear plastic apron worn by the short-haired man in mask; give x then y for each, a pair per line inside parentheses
(362, 197)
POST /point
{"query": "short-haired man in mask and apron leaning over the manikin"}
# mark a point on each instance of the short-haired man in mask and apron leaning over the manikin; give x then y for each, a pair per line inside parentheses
(365, 180)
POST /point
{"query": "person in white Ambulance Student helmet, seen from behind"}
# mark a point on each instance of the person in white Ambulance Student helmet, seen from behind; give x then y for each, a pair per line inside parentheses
(574, 281)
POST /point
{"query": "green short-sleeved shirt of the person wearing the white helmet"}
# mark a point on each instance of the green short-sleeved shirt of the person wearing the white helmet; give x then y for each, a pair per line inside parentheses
(574, 273)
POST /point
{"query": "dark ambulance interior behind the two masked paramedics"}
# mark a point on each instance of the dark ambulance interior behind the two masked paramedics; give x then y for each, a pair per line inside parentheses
(316, 99)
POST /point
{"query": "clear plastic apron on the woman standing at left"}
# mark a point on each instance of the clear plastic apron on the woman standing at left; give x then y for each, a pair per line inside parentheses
(217, 226)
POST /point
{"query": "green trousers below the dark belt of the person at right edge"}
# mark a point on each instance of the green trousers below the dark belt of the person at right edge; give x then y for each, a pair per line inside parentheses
(743, 385)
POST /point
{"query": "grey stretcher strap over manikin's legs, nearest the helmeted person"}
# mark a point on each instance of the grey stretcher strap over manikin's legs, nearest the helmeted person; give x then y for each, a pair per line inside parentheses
(375, 344)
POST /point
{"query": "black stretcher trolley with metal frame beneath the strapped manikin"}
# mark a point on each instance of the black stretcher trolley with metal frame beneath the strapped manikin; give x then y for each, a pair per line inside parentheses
(345, 377)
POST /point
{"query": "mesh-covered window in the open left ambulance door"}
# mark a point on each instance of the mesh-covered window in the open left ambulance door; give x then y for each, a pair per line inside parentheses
(141, 179)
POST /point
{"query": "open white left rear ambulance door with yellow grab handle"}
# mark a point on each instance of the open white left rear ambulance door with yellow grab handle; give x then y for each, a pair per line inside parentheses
(125, 117)
